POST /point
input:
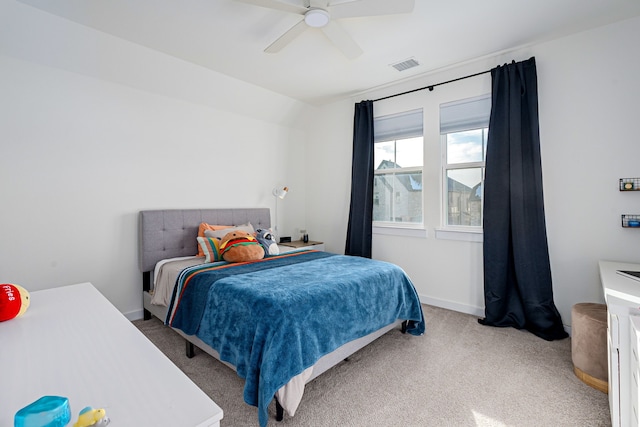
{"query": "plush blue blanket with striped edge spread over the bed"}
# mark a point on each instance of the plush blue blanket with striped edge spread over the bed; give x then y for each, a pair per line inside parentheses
(274, 318)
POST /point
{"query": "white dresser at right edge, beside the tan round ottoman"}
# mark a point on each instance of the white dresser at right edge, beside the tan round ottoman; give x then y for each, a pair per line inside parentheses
(622, 296)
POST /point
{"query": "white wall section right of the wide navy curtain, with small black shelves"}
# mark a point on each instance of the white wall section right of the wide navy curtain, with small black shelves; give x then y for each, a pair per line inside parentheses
(589, 91)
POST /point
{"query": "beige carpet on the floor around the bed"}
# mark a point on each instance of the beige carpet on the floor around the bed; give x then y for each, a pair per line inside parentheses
(459, 373)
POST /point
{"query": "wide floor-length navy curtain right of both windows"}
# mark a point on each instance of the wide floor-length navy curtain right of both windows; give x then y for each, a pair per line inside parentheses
(517, 274)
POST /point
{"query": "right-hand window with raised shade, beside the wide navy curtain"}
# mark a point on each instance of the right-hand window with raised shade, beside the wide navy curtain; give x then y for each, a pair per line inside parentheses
(464, 127)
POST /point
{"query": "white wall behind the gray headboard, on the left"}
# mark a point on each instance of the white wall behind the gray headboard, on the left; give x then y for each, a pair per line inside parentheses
(85, 145)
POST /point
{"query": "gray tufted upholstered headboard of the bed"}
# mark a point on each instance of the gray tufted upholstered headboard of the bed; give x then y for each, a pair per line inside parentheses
(172, 233)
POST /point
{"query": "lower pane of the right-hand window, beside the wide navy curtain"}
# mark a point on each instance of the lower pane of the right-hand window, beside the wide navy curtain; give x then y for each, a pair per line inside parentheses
(464, 197)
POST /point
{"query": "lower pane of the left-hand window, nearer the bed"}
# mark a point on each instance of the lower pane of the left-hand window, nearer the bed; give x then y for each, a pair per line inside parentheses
(397, 197)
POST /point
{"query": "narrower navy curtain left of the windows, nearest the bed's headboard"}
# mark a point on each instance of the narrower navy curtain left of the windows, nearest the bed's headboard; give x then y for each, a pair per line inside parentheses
(361, 209)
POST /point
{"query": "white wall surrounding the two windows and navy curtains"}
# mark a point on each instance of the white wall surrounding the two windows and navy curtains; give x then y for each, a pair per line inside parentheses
(588, 100)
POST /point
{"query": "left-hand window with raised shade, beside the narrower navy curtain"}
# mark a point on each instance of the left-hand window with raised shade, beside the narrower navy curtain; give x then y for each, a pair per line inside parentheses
(398, 161)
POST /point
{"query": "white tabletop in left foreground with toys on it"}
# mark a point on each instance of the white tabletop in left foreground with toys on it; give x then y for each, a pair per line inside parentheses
(72, 342)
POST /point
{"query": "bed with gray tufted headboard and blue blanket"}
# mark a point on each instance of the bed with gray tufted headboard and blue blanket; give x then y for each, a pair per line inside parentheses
(261, 318)
